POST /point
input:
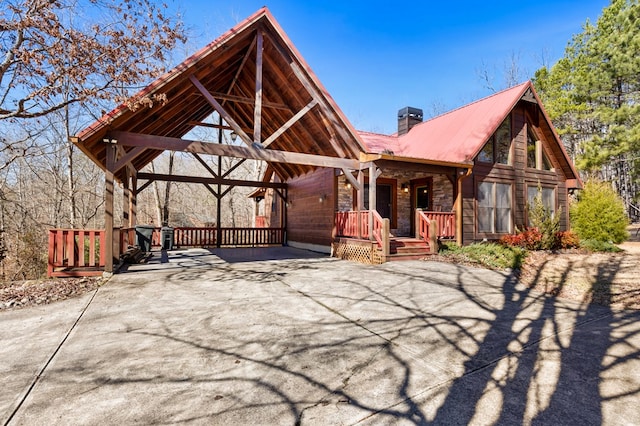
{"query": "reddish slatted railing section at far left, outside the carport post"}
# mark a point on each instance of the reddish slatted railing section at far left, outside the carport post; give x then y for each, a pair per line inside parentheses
(76, 252)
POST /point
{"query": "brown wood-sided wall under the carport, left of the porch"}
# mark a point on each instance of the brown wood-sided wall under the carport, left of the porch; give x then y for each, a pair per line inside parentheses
(310, 221)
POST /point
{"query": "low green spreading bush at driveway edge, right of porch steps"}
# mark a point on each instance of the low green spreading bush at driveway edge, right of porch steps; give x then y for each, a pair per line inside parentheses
(491, 255)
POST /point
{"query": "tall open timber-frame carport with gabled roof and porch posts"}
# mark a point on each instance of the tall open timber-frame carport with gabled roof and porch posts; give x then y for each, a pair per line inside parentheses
(258, 89)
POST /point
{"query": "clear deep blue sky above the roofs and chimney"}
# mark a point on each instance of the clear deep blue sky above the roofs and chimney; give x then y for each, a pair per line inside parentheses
(375, 57)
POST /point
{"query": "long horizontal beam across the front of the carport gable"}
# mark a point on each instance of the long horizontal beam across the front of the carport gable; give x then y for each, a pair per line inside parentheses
(269, 155)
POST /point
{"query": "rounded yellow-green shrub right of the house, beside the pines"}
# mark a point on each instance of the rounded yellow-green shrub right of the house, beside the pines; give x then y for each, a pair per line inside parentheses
(599, 214)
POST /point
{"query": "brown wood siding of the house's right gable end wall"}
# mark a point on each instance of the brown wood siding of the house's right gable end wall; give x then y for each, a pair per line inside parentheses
(518, 174)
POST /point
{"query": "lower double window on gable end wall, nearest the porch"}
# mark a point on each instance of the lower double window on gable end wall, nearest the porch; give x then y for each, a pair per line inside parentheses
(494, 207)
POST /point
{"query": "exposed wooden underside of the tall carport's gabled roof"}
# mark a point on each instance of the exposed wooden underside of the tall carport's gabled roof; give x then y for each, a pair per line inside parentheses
(272, 96)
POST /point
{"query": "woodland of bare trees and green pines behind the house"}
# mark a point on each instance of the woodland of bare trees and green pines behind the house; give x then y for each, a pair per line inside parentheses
(64, 63)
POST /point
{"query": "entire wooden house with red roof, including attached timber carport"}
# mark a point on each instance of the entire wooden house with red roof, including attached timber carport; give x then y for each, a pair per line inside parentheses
(465, 175)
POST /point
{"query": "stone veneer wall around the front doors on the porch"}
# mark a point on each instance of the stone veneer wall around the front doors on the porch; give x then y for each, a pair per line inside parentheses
(442, 196)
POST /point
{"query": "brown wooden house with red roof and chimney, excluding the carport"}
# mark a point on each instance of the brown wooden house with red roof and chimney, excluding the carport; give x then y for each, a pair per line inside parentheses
(483, 163)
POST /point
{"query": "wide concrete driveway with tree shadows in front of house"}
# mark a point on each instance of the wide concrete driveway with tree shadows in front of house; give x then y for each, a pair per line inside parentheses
(293, 338)
